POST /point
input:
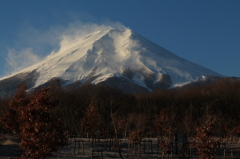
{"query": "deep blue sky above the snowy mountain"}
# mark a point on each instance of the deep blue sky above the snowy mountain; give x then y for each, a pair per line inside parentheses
(206, 32)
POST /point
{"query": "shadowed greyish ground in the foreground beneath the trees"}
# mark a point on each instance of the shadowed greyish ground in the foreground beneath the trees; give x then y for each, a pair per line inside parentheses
(103, 148)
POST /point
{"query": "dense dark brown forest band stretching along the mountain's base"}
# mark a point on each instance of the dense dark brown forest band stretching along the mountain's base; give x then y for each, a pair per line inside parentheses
(102, 111)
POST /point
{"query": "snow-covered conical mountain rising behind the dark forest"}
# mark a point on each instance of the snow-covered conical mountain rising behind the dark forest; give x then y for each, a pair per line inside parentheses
(114, 57)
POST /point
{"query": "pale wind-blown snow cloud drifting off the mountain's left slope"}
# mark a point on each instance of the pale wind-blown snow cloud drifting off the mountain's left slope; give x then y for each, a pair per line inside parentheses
(33, 45)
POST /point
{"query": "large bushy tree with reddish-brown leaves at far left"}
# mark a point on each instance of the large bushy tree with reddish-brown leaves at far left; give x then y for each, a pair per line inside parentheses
(30, 117)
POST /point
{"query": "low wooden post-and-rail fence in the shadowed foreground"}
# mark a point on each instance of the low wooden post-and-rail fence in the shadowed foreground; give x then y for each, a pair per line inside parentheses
(102, 148)
